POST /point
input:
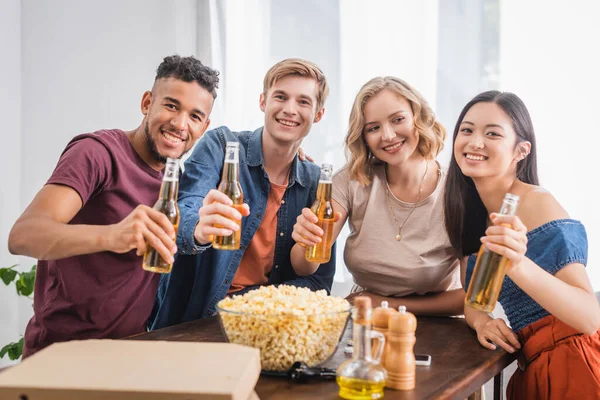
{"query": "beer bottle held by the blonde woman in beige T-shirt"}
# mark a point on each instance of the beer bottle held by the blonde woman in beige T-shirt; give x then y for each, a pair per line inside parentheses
(322, 208)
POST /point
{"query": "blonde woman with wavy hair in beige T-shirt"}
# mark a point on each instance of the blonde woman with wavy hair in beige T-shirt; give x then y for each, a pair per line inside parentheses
(391, 193)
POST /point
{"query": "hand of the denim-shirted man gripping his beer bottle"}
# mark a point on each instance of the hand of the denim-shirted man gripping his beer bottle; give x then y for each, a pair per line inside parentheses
(216, 211)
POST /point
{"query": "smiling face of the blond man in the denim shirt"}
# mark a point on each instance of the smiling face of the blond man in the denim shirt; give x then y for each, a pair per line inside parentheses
(290, 108)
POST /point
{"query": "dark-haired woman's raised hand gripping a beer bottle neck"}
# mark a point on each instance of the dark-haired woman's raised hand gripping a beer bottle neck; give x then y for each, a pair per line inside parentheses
(507, 237)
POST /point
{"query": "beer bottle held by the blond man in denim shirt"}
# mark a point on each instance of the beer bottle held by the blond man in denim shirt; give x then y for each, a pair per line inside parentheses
(230, 185)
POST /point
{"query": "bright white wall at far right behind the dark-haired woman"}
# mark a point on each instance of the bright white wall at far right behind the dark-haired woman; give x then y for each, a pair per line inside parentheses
(553, 66)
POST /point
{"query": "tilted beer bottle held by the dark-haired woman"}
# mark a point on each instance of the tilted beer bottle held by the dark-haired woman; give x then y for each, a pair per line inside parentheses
(490, 268)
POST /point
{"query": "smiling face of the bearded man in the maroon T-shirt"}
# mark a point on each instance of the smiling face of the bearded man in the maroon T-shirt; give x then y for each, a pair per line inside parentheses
(176, 115)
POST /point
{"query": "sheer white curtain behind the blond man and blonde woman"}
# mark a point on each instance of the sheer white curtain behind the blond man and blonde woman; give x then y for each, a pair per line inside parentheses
(342, 37)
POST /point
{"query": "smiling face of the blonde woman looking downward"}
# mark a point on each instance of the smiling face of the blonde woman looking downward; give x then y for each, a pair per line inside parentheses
(389, 130)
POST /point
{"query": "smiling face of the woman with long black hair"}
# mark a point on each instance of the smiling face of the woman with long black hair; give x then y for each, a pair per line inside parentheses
(485, 143)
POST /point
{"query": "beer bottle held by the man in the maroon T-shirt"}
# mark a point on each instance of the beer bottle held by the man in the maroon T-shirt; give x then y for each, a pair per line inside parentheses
(166, 204)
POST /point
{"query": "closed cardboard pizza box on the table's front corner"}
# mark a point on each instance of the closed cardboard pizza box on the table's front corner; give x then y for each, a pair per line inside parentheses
(129, 369)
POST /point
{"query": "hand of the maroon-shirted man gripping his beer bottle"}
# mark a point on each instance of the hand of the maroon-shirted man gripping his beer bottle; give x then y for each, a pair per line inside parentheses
(144, 227)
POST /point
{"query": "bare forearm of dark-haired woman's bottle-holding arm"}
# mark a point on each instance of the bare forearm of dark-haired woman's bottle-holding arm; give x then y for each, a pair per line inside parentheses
(572, 305)
